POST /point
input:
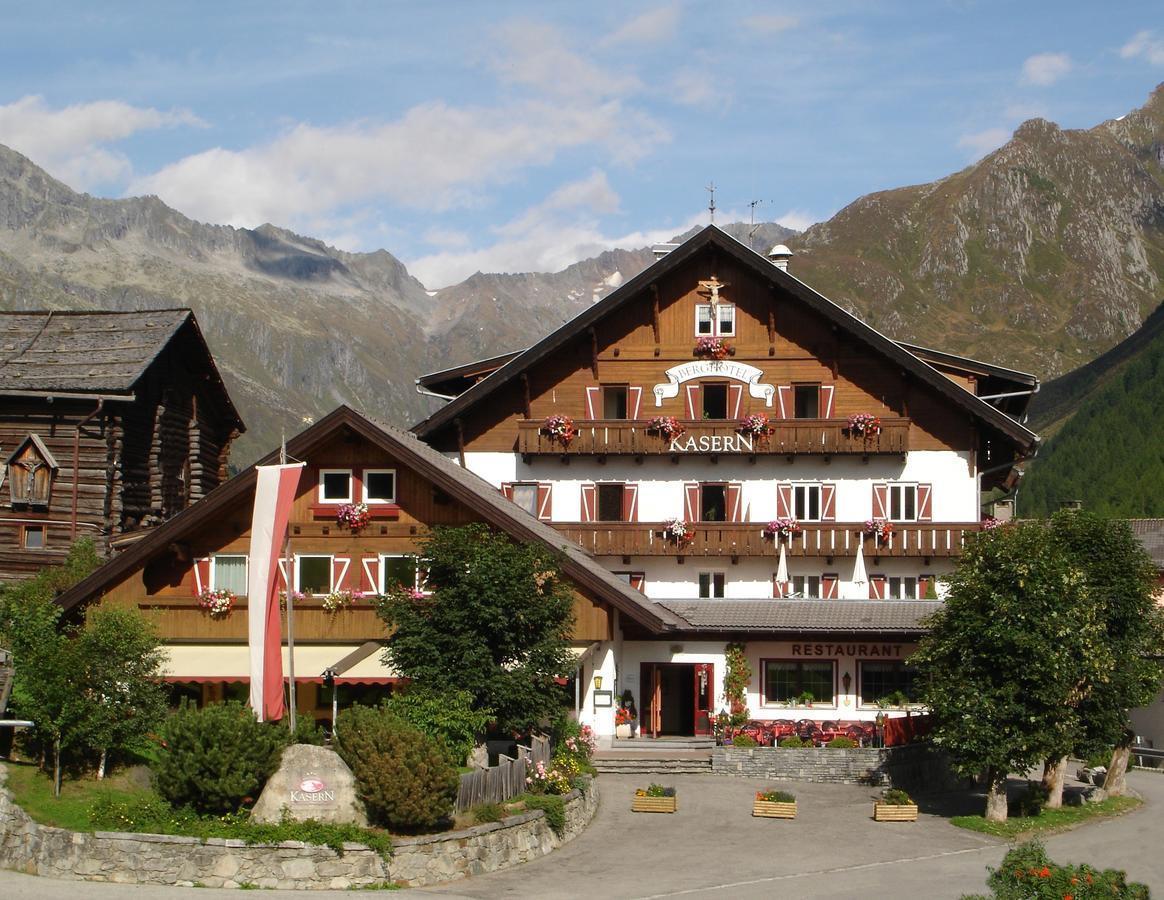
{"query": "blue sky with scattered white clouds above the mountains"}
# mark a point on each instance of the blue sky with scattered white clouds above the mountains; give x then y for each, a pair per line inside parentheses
(514, 137)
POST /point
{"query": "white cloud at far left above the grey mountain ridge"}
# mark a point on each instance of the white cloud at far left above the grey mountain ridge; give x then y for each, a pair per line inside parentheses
(70, 143)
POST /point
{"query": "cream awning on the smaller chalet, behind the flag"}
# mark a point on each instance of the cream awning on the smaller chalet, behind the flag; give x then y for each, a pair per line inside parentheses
(196, 663)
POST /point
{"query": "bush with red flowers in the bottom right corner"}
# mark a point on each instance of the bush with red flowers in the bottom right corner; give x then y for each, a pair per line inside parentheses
(1028, 873)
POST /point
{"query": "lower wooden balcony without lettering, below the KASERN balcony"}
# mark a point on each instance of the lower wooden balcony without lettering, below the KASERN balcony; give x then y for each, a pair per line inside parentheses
(747, 540)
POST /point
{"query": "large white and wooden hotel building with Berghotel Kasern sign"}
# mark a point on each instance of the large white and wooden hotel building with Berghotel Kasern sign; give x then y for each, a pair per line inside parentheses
(758, 463)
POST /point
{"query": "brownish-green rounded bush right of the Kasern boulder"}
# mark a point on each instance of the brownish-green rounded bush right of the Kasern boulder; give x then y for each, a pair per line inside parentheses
(403, 776)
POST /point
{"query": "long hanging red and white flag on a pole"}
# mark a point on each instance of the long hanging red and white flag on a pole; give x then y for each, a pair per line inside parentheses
(274, 495)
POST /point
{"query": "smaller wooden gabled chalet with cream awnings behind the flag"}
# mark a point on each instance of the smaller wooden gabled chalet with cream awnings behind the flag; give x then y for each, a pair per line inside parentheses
(408, 488)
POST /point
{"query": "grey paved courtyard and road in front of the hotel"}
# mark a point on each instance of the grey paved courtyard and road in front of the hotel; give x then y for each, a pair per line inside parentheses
(713, 848)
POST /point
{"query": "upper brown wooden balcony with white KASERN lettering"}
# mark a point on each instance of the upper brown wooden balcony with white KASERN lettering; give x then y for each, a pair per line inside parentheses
(719, 437)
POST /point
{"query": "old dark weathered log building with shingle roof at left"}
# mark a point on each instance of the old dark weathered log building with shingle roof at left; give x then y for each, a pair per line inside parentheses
(110, 424)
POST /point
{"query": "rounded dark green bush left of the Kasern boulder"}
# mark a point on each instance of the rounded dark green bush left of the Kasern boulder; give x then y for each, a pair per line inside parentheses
(218, 759)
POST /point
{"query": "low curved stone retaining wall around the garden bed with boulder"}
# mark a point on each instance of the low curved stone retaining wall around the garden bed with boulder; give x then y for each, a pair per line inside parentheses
(166, 860)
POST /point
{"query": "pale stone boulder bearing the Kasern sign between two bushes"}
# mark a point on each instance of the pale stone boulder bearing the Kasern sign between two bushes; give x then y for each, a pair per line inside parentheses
(311, 783)
